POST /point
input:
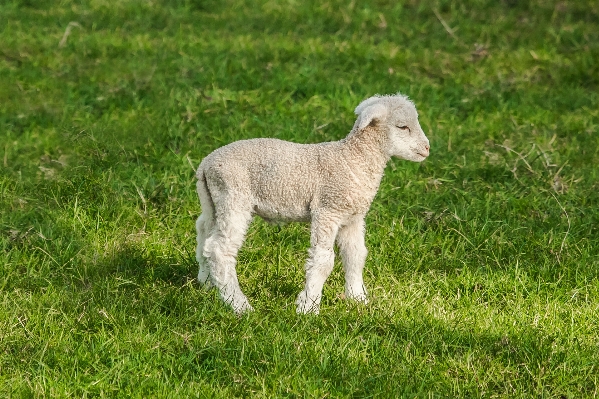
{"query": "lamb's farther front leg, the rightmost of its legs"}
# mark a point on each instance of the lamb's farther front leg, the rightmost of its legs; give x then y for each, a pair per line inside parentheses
(353, 254)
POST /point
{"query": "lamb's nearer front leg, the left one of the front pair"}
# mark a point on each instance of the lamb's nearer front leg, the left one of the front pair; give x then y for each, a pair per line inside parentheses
(321, 259)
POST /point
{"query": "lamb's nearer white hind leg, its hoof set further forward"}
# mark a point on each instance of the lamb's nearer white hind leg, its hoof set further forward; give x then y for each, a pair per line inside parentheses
(221, 250)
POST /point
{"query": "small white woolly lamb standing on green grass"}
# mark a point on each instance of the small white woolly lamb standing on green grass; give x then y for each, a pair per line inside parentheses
(329, 184)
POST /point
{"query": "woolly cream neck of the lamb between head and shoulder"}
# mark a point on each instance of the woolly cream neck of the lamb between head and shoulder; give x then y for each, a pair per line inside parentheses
(367, 150)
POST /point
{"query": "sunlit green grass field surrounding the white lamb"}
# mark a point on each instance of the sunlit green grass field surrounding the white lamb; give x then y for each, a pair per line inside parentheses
(483, 268)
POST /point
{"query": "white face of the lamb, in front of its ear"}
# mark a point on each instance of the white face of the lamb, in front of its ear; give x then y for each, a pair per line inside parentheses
(408, 141)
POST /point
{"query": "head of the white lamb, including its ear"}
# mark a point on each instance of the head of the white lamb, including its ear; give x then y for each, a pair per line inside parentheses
(396, 116)
